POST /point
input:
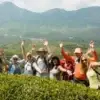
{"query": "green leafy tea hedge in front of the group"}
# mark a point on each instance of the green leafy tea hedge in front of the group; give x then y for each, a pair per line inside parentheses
(34, 88)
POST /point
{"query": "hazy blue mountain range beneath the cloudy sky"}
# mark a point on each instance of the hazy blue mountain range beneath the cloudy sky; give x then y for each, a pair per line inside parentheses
(83, 17)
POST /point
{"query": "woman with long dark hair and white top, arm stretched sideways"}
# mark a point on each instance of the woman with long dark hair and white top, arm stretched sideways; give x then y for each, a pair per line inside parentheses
(56, 68)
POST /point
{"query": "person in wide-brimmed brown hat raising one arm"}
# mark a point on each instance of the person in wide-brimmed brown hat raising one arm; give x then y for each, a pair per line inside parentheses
(43, 58)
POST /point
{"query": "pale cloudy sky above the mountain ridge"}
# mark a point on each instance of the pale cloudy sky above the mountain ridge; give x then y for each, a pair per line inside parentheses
(43, 5)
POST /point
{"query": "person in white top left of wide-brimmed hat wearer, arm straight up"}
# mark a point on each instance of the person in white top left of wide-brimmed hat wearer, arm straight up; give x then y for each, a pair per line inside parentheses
(30, 67)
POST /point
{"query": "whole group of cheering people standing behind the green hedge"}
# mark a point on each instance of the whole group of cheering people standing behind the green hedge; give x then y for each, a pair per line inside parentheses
(79, 68)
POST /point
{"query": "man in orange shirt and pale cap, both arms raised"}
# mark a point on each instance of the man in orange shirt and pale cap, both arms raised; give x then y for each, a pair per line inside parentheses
(79, 75)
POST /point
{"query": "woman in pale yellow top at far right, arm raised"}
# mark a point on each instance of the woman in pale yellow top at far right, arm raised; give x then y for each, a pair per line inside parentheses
(93, 70)
